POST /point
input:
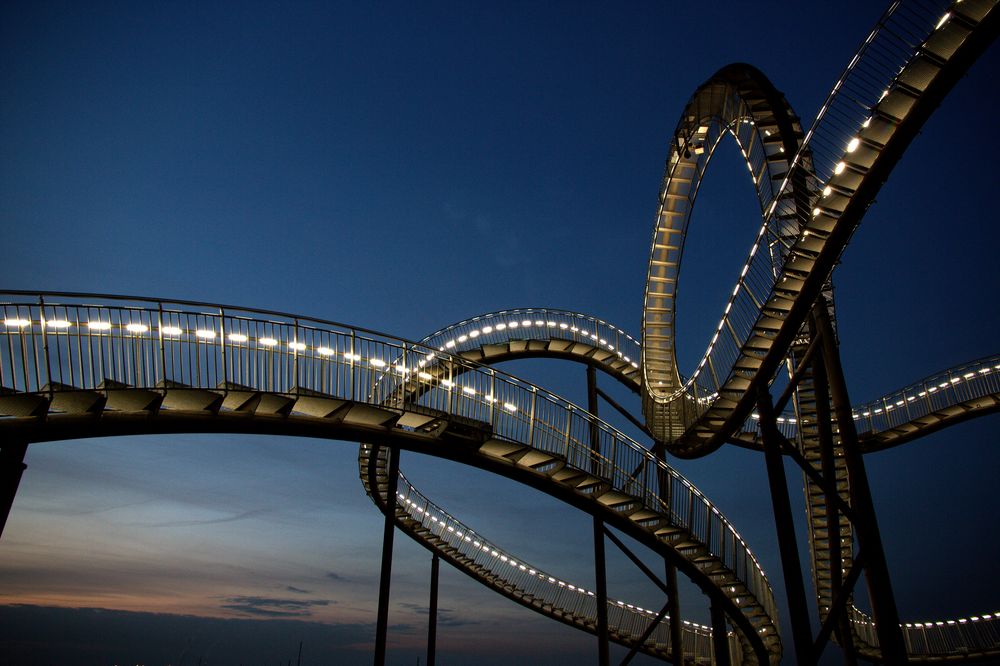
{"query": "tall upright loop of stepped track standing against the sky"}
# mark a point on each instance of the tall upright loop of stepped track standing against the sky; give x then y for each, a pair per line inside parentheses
(739, 101)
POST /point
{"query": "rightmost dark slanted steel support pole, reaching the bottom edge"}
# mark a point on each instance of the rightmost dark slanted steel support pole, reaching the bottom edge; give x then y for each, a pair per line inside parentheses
(890, 633)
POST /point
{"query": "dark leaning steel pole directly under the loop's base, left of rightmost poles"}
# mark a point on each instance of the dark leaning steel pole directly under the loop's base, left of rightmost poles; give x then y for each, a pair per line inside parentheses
(790, 567)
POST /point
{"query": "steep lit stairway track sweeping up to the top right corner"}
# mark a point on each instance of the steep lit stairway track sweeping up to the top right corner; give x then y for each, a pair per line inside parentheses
(839, 168)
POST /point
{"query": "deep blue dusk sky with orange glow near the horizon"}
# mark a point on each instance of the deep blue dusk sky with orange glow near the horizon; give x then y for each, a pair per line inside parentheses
(401, 167)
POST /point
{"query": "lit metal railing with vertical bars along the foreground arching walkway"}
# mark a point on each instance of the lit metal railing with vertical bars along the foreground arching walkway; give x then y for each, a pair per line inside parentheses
(54, 343)
